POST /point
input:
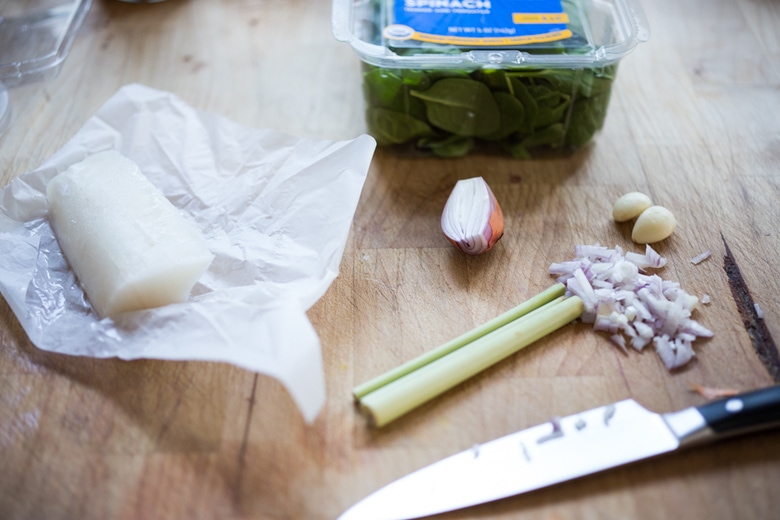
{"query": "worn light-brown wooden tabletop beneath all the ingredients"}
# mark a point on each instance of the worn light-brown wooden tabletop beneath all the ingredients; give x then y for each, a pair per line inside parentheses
(693, 122)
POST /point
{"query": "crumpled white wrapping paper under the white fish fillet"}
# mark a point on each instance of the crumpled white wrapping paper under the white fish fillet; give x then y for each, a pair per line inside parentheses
(276, 211)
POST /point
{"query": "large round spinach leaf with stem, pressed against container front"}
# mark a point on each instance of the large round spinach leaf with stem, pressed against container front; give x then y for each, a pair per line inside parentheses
(461, 106)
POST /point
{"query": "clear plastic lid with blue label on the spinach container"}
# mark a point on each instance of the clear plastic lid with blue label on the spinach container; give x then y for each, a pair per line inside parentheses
(580, 34)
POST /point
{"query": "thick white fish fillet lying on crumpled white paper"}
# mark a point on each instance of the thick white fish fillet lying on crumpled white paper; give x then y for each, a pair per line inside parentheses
(129, 246)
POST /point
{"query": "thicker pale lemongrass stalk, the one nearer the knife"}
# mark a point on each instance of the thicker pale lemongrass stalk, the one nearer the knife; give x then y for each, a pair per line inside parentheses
(404, 394)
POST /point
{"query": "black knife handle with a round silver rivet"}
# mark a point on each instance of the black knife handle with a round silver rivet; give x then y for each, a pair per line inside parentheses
(751, 410)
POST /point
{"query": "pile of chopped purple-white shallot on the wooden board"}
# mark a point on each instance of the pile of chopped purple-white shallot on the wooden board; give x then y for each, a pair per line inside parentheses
(635, 307)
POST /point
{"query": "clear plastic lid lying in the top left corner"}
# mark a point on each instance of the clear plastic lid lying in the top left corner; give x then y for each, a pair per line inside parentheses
(36, 36)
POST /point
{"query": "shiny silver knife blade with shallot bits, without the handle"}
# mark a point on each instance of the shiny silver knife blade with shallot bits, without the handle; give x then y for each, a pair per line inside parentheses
(534, 458)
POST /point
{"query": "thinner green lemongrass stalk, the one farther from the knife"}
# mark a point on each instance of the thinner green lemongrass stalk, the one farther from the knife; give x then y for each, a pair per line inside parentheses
(509, 316)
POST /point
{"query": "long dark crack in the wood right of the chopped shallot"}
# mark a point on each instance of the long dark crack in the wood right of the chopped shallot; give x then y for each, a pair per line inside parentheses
(762, 340)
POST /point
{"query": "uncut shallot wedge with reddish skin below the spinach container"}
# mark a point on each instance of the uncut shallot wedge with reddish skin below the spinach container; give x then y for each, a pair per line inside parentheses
(472, 219)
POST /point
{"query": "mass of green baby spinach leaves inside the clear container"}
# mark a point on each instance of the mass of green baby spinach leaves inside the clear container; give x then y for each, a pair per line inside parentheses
(447, 112)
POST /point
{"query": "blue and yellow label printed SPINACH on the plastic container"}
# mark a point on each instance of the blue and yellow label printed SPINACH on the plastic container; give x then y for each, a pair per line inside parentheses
(478, 22)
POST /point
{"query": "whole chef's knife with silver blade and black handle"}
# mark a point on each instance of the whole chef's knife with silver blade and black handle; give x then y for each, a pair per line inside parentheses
(563, 449)
